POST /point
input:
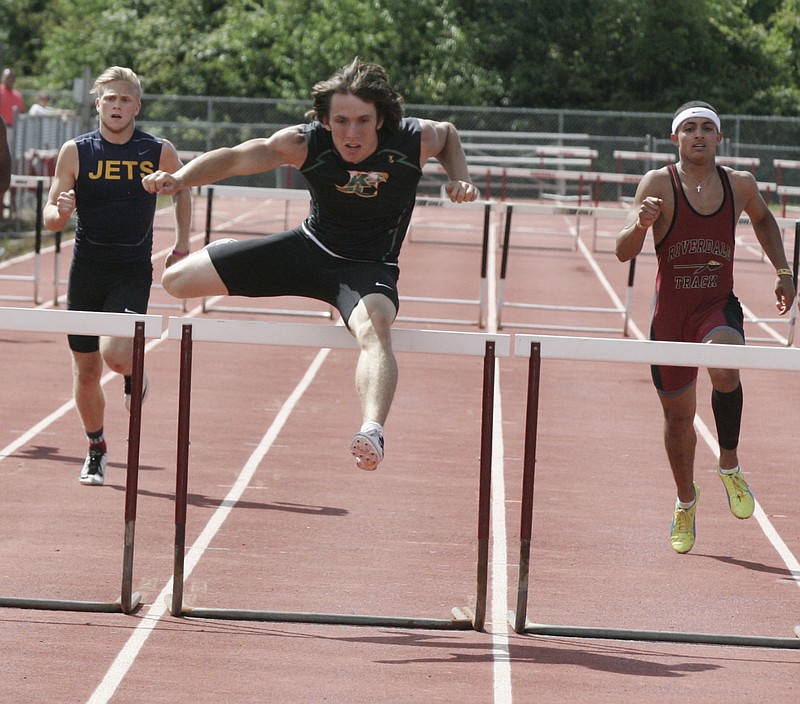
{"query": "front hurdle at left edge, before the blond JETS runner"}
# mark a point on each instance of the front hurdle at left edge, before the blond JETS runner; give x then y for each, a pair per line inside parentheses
(138, 327)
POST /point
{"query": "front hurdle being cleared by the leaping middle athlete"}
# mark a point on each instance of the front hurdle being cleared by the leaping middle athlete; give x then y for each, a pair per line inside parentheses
(189, 330)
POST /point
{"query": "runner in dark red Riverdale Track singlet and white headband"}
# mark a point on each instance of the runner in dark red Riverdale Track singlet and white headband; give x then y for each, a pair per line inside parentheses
(693, 207)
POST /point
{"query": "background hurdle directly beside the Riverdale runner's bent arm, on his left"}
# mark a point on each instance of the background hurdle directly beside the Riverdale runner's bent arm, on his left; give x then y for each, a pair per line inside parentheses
(624, 311)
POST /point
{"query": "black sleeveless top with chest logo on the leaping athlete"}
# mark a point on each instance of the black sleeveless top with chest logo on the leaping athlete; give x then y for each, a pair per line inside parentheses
(362, 211)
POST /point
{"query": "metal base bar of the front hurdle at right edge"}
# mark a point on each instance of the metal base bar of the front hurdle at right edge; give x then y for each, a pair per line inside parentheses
(593, 633)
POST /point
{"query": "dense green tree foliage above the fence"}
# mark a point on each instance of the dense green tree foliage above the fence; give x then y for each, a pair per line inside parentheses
(629, 55)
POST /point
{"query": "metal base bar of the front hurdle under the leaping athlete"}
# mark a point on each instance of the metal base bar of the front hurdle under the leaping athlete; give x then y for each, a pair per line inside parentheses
(460, 621)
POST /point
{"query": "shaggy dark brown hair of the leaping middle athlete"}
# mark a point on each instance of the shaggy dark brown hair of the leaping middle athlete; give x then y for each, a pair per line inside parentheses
(366, 81)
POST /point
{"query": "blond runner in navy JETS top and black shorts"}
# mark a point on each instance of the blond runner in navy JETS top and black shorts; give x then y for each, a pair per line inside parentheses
(99, 174)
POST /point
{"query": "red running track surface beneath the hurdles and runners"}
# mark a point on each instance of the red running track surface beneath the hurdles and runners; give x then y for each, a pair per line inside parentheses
(311, 533)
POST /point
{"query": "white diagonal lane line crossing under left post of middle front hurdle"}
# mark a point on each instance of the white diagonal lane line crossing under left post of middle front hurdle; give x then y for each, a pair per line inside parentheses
(127, 655)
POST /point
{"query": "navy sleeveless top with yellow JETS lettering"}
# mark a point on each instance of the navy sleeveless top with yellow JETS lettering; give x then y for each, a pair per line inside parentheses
(114, 212)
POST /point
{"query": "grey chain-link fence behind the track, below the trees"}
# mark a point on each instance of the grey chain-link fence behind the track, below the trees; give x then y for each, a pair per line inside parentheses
(199, 124)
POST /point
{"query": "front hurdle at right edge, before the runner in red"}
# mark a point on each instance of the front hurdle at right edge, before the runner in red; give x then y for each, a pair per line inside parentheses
(630, 351)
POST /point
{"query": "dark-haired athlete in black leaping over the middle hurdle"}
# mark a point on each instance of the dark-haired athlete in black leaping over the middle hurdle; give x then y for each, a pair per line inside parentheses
(362, 162)
